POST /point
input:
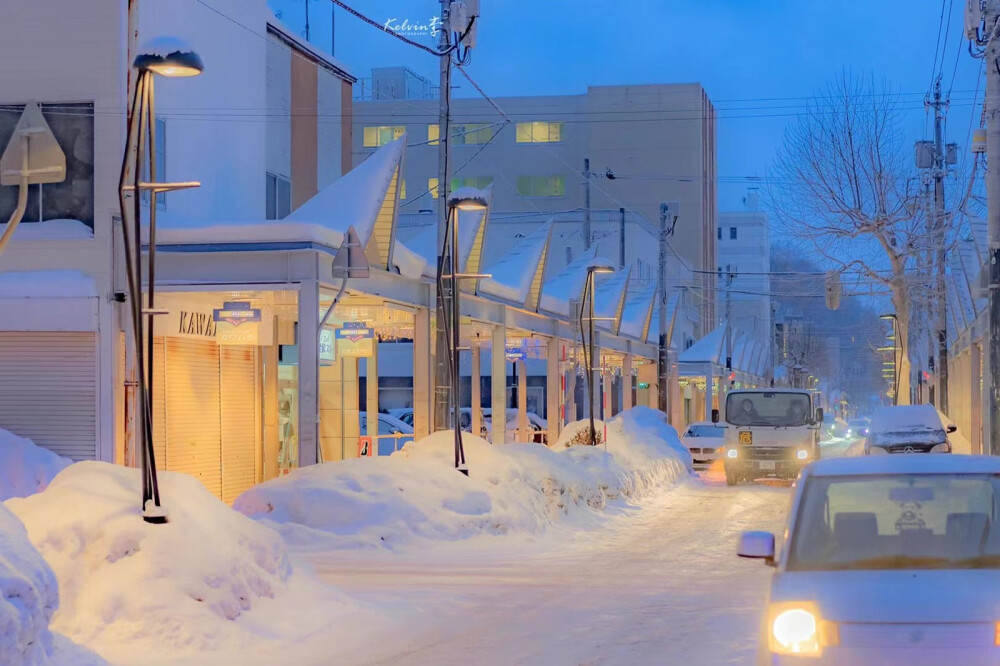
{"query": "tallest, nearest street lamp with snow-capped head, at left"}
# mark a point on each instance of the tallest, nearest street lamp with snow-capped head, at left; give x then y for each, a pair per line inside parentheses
(166, 57)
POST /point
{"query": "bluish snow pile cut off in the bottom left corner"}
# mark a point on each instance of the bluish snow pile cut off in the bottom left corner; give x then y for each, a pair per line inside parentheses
(28, 597)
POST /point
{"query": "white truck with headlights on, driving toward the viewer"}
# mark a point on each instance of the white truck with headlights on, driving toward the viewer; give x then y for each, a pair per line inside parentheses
(769, 432)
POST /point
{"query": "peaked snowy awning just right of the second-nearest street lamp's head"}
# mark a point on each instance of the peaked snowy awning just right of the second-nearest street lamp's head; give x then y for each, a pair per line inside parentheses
(517, 276)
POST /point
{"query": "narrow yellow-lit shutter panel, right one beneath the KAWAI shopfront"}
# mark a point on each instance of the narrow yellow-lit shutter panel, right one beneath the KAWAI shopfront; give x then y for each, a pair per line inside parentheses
(240, 420)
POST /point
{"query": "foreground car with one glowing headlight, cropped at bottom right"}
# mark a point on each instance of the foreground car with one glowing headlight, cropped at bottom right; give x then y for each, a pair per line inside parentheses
(888, 560)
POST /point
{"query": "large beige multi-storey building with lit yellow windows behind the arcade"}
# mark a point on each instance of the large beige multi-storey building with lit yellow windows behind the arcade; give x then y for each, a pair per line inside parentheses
(646, 144)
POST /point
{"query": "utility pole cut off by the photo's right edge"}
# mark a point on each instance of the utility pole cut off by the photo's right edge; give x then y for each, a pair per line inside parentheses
(993, 218)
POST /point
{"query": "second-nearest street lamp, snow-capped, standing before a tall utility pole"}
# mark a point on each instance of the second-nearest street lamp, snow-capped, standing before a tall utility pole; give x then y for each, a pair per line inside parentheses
(467, 199)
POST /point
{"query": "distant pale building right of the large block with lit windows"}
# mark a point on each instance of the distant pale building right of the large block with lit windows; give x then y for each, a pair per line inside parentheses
(744, 245)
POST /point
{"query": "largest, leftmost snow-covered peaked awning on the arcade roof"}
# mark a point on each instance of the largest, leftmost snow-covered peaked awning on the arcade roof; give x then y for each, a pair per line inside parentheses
(367, 198)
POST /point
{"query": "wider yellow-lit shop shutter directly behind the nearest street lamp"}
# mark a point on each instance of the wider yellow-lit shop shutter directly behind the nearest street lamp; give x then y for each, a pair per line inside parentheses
(192, 406)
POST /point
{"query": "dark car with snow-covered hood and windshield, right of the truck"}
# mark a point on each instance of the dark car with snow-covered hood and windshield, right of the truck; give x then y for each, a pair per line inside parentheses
(907, 429)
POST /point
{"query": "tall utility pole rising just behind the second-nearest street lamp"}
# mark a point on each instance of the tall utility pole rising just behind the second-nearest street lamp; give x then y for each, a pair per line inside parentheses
(442, 369)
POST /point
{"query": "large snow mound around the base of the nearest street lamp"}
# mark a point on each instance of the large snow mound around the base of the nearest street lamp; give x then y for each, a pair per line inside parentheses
(208, 580)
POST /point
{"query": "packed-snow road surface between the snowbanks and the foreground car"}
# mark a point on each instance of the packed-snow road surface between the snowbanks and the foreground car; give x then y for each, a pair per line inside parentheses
(659, 584)
